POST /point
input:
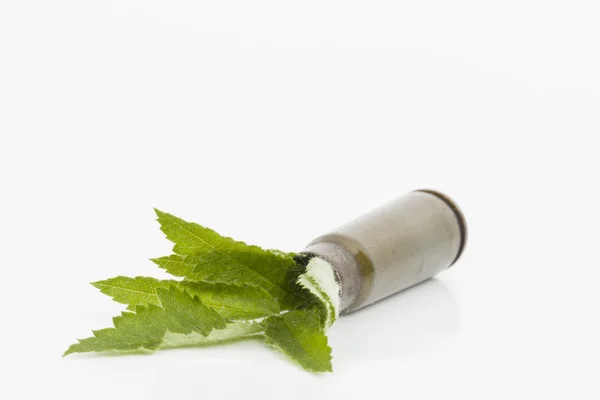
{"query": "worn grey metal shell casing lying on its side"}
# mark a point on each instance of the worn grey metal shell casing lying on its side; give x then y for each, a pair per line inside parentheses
(393, 247)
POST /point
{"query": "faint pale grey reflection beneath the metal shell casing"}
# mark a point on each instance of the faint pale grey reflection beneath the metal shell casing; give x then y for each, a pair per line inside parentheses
(411, 322)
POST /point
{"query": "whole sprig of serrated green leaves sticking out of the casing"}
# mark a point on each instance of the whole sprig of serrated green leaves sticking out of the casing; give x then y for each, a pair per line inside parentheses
(227, 290)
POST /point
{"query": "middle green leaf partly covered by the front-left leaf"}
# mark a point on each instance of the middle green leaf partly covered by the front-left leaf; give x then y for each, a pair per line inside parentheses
(230, 301)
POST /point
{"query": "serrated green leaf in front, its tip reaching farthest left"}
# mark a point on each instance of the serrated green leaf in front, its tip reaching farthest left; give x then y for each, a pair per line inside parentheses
(146, 328)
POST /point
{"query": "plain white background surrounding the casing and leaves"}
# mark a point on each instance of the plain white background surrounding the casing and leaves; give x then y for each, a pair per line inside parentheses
(273, 122)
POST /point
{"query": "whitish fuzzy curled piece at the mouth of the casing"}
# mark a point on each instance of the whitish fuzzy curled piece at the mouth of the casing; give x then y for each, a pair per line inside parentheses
(320, 280)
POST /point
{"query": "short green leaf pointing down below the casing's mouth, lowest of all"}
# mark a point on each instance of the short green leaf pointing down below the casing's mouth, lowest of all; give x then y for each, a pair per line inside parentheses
(299, 335)
